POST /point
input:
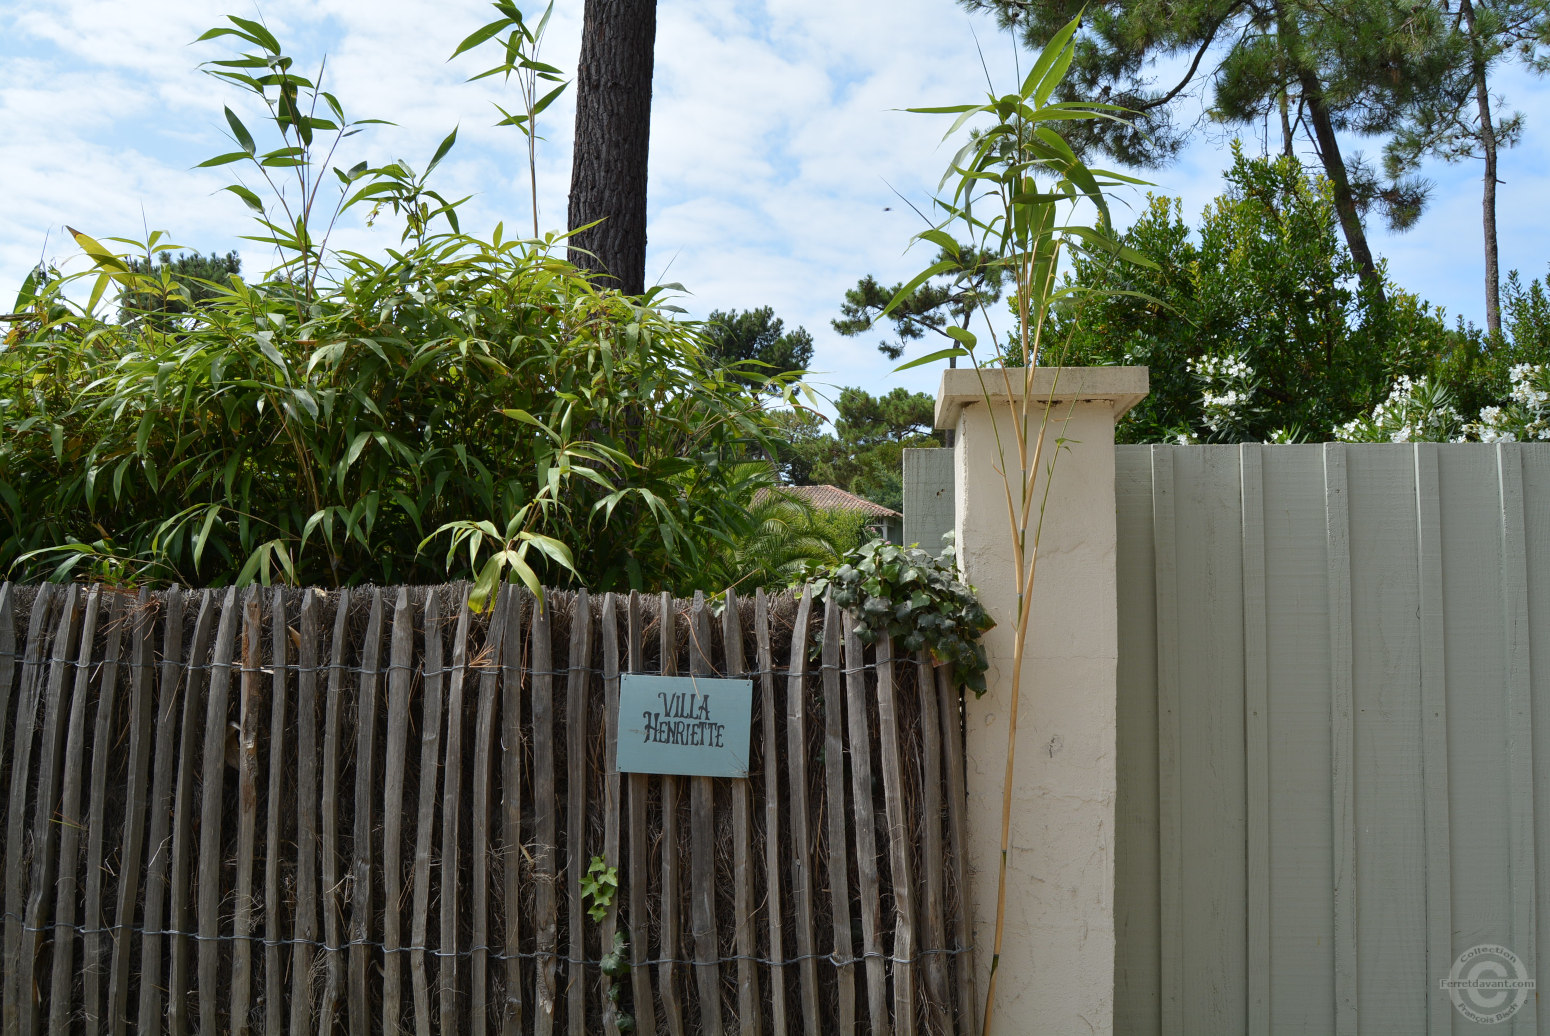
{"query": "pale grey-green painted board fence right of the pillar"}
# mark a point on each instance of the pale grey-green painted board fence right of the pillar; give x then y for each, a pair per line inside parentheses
(1334, 734)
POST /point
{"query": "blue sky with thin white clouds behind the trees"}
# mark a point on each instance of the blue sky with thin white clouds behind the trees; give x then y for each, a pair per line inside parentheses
(779, 147)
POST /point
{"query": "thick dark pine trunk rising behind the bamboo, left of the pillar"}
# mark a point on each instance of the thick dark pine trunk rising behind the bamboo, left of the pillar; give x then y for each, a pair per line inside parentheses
(608, 174)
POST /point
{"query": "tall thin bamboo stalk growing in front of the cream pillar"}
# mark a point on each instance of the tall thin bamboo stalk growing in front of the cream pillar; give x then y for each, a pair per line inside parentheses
(1018, 192)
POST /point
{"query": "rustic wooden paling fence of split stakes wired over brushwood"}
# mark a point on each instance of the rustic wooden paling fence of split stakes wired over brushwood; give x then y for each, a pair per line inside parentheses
(373, 810)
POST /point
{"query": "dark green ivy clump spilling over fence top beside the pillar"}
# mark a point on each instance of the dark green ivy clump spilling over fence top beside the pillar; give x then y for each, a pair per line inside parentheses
(917, 599)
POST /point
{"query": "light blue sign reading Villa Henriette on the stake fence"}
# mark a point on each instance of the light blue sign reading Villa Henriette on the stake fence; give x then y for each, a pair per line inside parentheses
(697, 727)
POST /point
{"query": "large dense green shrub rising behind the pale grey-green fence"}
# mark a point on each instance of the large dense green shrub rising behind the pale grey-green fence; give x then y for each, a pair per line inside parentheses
(1261, 331)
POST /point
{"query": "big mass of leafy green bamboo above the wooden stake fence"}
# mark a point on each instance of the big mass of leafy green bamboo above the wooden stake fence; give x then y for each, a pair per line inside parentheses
(348, 416)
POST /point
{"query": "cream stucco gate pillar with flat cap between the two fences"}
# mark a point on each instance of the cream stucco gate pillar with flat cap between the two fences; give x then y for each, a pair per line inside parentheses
(1058, 951)
